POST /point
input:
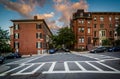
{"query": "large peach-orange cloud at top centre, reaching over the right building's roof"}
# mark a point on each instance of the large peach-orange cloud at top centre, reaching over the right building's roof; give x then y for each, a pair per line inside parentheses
(67, 8)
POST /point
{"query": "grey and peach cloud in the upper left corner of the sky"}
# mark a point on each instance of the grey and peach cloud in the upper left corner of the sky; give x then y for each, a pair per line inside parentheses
(23, 7)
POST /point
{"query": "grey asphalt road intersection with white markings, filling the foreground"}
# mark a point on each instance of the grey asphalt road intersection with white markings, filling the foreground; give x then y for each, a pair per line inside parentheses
(65, 65)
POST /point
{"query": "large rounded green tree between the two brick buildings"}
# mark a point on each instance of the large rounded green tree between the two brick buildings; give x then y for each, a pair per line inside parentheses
(65, 37)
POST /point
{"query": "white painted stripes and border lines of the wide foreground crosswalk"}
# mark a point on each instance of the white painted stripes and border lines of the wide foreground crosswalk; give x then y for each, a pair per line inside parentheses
(81, 68)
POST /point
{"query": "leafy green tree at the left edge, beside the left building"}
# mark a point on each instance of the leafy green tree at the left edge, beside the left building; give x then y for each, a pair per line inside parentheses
(4, 38)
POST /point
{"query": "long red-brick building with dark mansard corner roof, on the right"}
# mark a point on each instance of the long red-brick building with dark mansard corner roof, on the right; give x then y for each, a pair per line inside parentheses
(91, 28)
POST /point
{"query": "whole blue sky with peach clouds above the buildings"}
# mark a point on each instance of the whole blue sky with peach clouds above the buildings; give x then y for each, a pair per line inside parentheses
(57, 13)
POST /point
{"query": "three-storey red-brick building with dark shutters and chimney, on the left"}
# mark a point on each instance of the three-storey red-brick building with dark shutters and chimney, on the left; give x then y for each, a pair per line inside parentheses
(30, 36)
